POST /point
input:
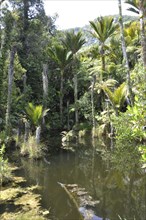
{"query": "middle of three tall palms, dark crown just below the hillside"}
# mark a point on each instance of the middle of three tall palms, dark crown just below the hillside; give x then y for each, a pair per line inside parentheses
(74, 42)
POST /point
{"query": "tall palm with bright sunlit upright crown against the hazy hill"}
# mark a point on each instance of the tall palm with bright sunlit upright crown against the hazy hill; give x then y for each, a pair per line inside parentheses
(104, 28)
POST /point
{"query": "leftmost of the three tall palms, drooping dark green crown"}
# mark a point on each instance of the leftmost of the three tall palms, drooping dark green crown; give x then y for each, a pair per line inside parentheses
(62, 57)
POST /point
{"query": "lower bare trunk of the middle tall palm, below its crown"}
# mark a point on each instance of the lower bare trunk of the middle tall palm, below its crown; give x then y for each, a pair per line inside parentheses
(76, 98)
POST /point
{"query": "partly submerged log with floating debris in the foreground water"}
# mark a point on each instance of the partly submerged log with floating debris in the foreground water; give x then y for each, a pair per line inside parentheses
(82, 201)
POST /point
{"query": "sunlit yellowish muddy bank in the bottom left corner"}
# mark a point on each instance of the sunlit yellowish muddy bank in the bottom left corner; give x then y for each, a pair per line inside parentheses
(18, 201)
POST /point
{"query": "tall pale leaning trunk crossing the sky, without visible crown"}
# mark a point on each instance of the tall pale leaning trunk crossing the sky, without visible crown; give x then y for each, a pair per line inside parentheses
(124, 52)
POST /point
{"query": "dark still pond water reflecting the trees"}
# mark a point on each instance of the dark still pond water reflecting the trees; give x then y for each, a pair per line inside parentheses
(120, 193)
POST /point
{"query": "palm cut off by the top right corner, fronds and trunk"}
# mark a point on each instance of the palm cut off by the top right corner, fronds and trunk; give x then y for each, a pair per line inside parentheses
(139, 7)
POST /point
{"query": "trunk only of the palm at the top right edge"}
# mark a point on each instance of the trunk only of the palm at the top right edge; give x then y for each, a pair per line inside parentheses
(142, 29)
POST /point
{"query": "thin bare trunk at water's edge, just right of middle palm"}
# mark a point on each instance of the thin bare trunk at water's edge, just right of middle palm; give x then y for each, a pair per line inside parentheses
(92, 104)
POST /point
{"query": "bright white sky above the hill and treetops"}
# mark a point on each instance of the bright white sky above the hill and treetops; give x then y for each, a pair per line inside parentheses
(78, 13)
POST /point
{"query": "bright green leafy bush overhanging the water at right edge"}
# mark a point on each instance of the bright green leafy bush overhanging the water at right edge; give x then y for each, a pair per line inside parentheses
(129, 125)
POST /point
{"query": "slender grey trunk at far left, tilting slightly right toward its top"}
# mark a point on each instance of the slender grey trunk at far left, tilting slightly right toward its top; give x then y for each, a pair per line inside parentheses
(10, 82)
